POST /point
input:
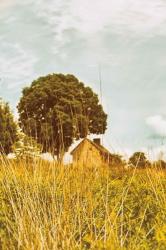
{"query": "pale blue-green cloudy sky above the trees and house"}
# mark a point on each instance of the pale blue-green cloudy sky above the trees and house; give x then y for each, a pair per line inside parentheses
(124, 38)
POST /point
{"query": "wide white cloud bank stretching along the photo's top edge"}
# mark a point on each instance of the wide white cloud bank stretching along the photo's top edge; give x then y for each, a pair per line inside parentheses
(93, 16)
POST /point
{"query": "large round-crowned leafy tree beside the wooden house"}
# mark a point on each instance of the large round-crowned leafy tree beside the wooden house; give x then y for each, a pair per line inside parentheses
(56, 109)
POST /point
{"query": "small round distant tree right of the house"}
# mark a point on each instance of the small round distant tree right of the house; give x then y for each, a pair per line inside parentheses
(138, 159)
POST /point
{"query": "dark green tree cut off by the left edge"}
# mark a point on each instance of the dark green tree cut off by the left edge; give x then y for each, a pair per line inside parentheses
(8, 128)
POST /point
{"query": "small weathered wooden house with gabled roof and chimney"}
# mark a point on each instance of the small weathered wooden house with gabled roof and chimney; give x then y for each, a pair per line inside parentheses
(91, 153)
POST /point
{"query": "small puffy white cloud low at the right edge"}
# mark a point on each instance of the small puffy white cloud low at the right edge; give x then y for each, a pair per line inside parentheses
(158, 124)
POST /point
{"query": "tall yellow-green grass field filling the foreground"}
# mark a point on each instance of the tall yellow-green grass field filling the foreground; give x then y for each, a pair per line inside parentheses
(46, 206)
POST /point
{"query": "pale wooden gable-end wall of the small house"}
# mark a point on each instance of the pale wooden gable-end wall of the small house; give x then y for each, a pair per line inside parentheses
(87, 155)
